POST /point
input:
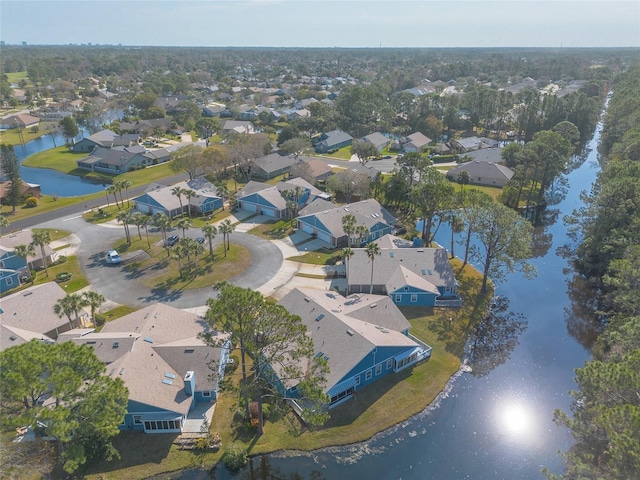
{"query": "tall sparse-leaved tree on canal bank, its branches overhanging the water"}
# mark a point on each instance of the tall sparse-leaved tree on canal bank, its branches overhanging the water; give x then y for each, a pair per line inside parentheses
(505, 240)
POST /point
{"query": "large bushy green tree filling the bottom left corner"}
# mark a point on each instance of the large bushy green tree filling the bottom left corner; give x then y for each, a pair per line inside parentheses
(87, 405)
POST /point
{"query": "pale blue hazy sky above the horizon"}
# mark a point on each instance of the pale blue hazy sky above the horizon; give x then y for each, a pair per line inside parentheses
(323, 23)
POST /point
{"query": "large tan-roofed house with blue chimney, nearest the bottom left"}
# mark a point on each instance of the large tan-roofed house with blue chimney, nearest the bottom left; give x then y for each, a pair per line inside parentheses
(159, 356)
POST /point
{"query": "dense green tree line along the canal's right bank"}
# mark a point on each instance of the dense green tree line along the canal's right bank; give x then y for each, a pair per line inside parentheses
(605, 414)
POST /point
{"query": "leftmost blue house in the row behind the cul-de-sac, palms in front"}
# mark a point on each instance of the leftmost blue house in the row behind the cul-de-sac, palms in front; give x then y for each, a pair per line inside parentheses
(160, 199)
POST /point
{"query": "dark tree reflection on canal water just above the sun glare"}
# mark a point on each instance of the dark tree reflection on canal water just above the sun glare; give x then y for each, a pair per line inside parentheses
(495, 338)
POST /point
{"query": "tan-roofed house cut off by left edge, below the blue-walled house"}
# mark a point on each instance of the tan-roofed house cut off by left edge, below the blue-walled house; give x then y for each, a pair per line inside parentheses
(29, 314)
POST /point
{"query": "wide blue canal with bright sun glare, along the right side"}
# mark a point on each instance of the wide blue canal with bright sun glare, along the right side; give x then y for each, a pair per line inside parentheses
(495, 419)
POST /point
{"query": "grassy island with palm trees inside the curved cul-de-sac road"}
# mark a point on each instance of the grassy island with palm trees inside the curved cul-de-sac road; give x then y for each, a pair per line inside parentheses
(163, 273)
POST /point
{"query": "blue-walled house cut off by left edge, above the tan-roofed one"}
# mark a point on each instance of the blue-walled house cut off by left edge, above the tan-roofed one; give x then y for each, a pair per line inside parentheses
(9, 261)
